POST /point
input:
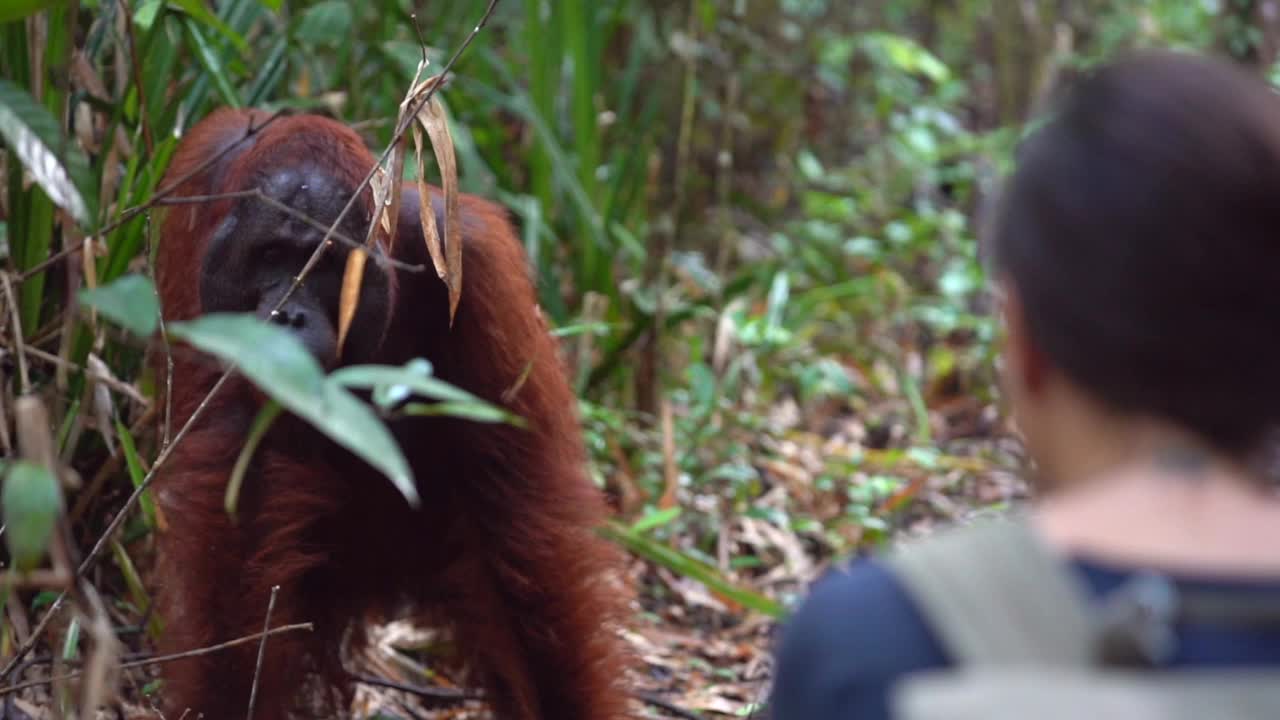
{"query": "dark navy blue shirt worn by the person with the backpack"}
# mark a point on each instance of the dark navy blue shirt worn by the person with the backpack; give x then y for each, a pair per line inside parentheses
(858, 632)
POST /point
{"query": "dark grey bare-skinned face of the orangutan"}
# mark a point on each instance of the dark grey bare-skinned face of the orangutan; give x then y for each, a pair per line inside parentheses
(258, 250)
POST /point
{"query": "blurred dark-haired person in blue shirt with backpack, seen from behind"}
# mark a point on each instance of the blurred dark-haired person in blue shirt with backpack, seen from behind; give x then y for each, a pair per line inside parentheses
(1136, 252)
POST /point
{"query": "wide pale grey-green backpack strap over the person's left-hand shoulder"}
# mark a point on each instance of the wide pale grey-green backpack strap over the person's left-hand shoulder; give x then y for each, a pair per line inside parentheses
(995, 594)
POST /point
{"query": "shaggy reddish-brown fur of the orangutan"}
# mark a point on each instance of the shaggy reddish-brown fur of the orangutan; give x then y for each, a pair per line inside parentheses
(504, 546)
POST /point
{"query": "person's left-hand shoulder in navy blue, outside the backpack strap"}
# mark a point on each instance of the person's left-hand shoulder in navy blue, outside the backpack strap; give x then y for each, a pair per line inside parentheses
(851, 640)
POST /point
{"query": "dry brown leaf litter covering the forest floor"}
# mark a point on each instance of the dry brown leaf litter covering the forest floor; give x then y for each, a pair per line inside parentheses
(702, 655)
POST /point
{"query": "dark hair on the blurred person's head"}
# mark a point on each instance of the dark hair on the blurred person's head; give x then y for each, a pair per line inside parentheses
(1142, 233)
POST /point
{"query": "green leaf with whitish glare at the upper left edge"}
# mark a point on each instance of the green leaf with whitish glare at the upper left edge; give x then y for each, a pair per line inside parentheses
(56, 165)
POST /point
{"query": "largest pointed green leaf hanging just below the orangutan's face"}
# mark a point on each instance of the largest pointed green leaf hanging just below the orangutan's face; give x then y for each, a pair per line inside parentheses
(276, 362)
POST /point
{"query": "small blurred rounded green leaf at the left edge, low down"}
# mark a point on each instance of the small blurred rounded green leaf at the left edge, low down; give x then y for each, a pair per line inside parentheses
(29, 507)
